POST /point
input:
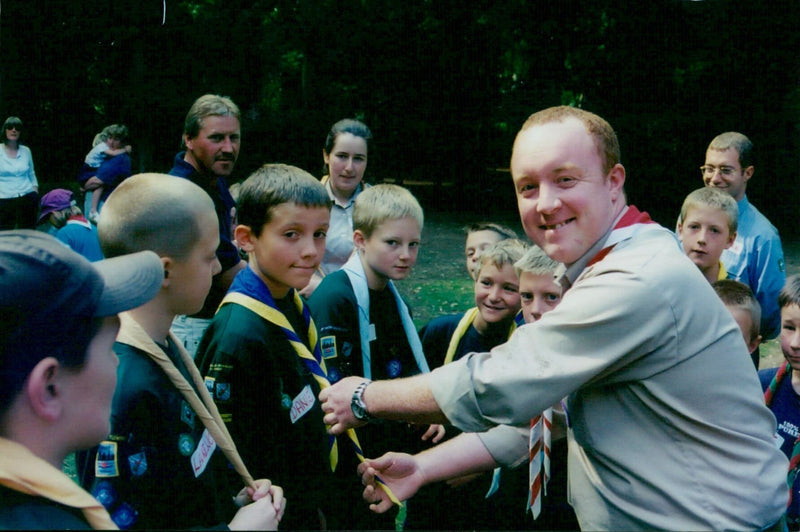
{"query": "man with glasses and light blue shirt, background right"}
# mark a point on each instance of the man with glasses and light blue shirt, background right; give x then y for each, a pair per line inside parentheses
(756, 256)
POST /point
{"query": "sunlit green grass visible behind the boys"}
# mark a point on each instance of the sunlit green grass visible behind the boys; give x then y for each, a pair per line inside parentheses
(440, 285)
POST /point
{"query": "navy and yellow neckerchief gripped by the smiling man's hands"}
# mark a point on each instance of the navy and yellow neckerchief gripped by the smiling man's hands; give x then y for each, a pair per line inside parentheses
(314, 365)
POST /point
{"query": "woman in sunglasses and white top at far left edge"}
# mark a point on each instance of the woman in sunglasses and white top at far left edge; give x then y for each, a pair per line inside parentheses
(19, 189)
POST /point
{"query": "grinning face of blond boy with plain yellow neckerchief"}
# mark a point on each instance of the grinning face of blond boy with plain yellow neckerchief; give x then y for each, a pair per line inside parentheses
(497, 293)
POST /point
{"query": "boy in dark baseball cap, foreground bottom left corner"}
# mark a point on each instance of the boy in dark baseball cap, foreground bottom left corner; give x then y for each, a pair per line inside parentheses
(58, 321)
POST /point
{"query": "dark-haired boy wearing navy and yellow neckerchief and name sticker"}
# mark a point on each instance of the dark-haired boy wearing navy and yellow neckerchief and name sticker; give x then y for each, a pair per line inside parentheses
(260, 355)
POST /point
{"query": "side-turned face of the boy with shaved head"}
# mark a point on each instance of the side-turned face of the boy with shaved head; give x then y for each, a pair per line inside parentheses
(189, 278)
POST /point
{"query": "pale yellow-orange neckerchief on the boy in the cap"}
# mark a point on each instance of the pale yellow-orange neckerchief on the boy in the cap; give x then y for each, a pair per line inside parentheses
(23, 471)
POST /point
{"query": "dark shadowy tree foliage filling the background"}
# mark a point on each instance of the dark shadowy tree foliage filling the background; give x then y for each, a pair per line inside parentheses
(443, 84)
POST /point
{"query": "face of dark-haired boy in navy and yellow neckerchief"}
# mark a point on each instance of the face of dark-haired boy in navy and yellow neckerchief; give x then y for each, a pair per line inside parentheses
(290, 247)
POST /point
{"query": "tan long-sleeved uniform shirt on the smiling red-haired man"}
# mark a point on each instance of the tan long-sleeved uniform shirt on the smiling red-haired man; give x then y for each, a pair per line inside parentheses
(668, 427)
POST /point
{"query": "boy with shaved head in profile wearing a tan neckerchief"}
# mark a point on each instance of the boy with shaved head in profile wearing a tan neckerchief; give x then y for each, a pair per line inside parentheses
(158, 468)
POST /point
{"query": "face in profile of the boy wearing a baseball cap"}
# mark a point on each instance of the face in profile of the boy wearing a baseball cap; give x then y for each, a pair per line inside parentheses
(89, 390)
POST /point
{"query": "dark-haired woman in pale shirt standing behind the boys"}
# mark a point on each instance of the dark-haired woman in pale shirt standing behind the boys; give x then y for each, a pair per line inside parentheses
(345, 156)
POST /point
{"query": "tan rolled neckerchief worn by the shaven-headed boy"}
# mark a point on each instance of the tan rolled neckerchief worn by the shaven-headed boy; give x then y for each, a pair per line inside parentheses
(131, 333)
